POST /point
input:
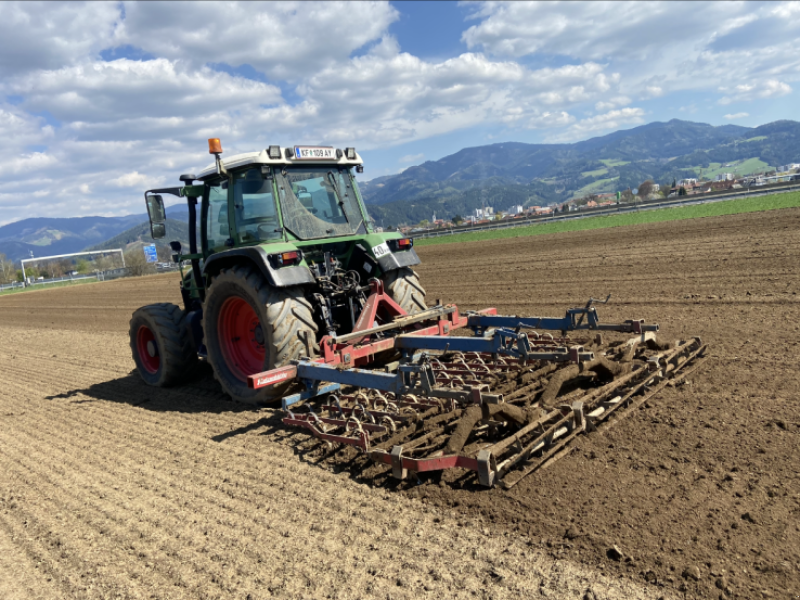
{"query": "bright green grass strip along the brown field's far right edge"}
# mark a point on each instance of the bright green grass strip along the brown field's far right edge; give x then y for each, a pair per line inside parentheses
(716, 209)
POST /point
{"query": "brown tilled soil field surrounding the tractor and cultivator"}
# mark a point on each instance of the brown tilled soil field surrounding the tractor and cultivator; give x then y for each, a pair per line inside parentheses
(112, 489)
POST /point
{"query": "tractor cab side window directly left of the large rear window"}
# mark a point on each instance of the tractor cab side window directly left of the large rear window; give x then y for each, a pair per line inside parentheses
(254, 209)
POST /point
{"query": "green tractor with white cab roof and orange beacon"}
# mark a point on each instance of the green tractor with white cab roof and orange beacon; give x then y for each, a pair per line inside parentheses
(283, 258)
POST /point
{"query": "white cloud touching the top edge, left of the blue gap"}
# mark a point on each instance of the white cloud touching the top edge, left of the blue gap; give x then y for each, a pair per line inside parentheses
(286, 40)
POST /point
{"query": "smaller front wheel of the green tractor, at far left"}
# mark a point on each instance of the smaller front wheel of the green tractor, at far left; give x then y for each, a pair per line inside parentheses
(160, 344)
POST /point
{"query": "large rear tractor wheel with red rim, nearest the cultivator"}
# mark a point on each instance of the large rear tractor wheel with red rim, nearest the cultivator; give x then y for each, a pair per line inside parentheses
(251, 327)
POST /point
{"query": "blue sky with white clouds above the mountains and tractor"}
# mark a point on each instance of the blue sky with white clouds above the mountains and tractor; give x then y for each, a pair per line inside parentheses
(100, 101)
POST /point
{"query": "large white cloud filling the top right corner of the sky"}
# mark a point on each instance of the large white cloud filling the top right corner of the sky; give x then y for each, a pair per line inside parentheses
(635, 38)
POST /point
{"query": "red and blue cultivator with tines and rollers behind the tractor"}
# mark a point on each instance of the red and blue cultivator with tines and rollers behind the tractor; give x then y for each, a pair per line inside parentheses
(502, 402)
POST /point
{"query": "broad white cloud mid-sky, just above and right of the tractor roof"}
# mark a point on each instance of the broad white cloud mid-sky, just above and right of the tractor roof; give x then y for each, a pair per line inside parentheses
(420, 98)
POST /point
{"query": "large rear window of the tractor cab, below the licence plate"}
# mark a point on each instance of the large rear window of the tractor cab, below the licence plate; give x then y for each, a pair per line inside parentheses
(318, 202)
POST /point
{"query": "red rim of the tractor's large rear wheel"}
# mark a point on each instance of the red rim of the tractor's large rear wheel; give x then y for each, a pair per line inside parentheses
(241, 338)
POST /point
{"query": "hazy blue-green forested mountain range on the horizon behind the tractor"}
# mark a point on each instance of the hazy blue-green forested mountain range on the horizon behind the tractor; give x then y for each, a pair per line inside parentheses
(497, 175)
